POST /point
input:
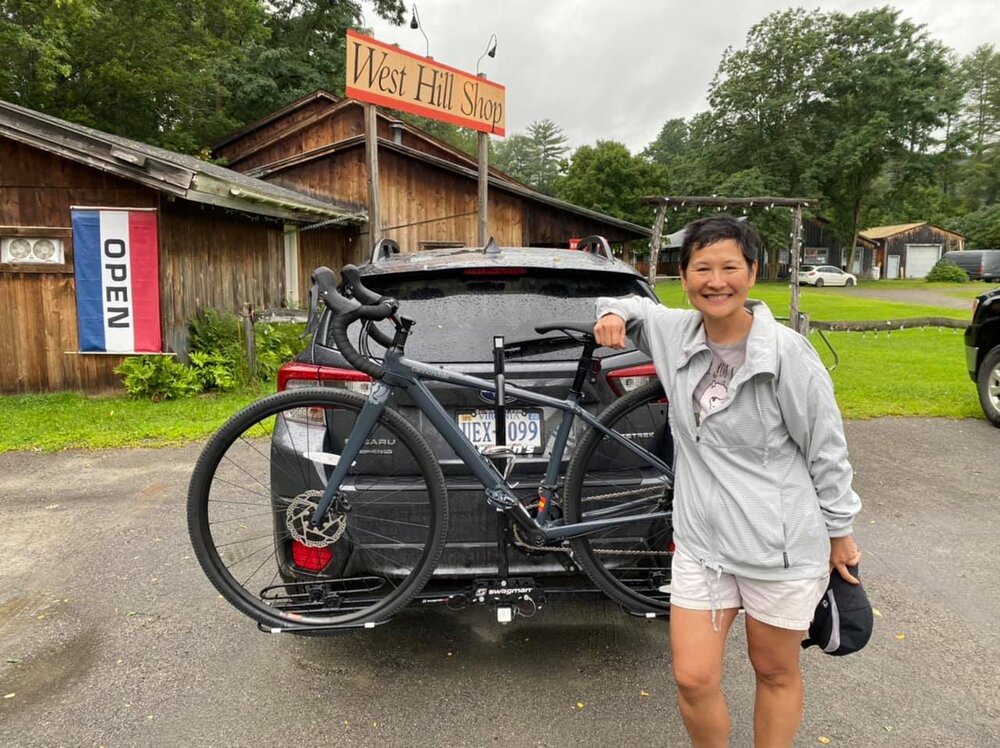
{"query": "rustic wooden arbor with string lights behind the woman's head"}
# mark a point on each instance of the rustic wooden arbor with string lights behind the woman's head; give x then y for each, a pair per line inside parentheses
(795, 204)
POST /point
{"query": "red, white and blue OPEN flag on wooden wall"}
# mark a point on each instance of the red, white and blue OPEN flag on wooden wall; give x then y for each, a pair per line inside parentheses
(116, 259)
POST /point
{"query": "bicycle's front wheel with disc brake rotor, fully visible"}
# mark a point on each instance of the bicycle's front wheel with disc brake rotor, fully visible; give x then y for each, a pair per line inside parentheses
(260, 471)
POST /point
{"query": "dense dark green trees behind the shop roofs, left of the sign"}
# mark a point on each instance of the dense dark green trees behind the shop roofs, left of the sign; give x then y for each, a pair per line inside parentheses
(176, 73)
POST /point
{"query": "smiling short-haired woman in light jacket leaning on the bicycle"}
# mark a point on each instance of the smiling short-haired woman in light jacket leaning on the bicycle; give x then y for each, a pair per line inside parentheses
(763, 504)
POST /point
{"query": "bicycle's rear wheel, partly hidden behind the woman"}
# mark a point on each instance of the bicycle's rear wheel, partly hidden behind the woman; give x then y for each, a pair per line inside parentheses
(629, 563)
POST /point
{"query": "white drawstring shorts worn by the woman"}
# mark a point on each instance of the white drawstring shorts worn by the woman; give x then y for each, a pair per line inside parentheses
(785, 604)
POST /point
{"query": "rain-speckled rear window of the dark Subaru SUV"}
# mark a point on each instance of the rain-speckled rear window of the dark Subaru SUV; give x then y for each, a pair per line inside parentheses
(457, 313)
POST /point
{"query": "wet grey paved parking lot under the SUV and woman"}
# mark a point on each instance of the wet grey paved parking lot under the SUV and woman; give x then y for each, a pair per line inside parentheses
(110, 635)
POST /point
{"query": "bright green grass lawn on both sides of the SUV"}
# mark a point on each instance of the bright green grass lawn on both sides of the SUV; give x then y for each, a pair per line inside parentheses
(913, 372)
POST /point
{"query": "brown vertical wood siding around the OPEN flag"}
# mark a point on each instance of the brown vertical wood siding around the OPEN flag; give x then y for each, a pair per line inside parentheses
(209, 258)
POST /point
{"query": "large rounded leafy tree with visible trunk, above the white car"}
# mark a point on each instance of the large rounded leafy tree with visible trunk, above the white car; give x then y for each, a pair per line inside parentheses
(823, 102)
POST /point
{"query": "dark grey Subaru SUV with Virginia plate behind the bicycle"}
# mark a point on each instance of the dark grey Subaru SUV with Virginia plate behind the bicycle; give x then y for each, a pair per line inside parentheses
(460, 299)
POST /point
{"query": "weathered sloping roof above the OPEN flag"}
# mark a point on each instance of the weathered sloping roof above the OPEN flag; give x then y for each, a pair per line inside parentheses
(174, 173)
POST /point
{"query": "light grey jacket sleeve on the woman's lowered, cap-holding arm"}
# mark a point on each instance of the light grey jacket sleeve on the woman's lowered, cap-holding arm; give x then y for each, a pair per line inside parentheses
(812, 417)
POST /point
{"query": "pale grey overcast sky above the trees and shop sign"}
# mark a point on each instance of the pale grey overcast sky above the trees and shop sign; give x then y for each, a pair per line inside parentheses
(619, 69)
